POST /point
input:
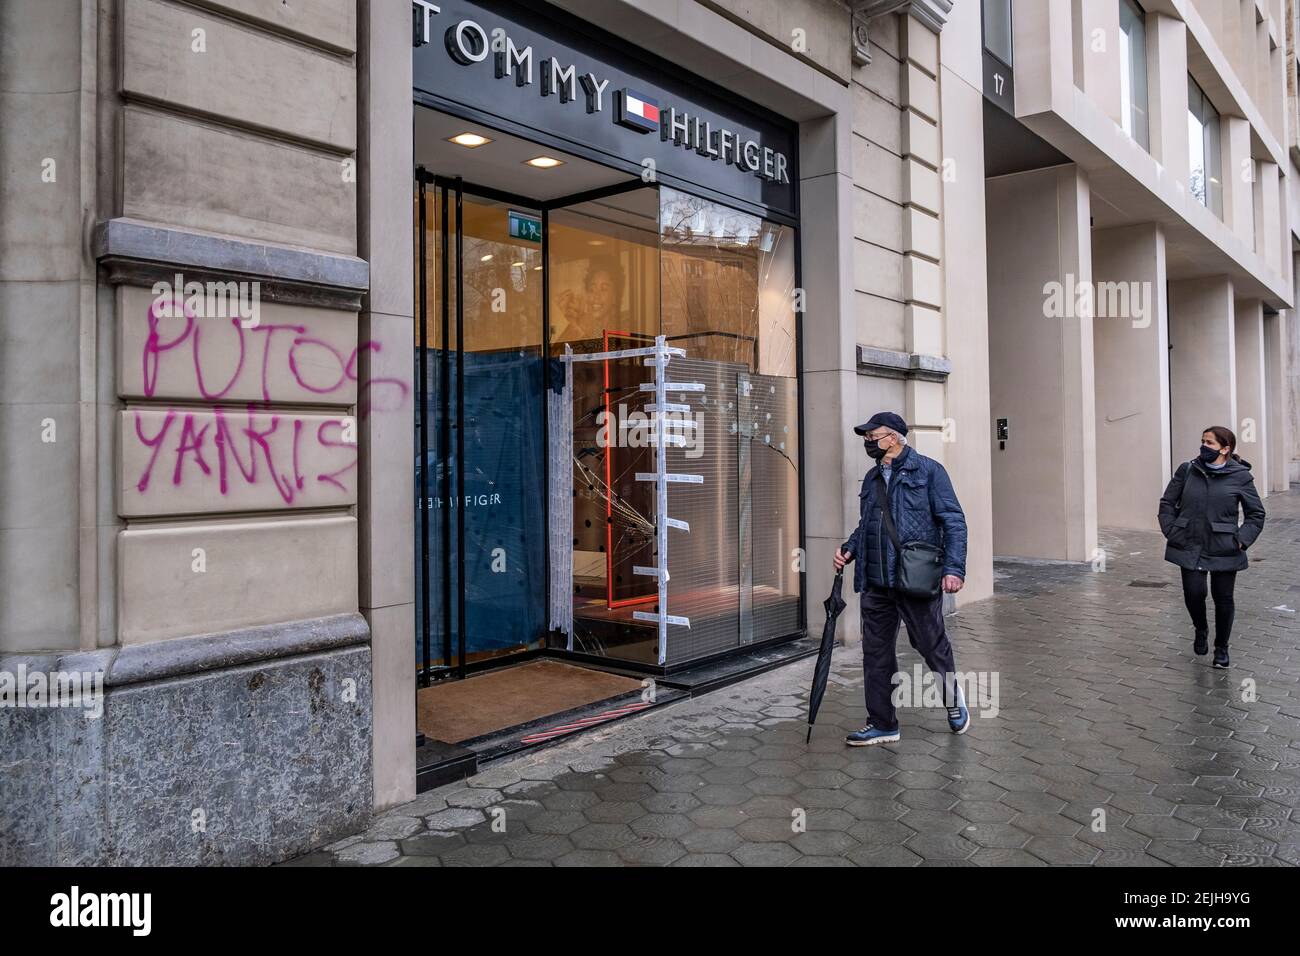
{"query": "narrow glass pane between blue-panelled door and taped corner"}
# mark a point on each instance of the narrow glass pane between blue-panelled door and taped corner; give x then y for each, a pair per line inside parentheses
(604, 292)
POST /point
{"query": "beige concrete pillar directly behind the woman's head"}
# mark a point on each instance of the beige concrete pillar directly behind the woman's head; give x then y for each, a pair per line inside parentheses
(1202, 361)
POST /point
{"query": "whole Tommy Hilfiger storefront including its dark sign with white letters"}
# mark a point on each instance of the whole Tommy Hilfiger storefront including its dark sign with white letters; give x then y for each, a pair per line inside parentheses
(608, 380)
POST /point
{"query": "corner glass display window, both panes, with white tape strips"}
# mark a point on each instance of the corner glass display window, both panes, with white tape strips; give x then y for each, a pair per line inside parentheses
(718, 284)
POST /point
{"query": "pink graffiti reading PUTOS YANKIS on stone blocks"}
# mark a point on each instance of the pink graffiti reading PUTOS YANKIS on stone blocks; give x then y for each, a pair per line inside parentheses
(241, 449)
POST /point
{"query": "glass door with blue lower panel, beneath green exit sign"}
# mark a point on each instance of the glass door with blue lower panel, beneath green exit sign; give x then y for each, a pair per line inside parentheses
(480, 431)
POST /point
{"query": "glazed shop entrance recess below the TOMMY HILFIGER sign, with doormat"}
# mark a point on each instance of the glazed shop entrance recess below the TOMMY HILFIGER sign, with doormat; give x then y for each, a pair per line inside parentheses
(606, 438)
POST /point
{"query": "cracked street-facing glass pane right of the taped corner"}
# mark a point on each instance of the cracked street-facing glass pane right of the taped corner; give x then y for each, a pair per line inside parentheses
(729, 300)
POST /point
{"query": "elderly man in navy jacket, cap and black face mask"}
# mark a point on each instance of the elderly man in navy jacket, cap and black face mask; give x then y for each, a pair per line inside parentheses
(925, 525)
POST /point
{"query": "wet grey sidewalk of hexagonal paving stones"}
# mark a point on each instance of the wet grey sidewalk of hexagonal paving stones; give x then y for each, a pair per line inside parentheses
(1102, 707)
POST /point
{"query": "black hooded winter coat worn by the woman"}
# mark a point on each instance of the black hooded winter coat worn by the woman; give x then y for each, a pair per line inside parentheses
(1199, 513)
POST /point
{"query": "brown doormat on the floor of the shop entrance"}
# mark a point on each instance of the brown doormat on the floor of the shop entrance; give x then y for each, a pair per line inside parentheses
(457, 711)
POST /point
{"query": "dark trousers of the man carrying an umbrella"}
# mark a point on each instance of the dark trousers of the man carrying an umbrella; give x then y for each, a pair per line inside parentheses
(882, 611)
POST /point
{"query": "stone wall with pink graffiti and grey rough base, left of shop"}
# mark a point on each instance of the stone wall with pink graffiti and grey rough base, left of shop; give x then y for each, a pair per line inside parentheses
(183, 499)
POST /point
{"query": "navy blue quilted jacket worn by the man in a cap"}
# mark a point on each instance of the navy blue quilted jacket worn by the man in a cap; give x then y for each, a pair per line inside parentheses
(925, 508)
